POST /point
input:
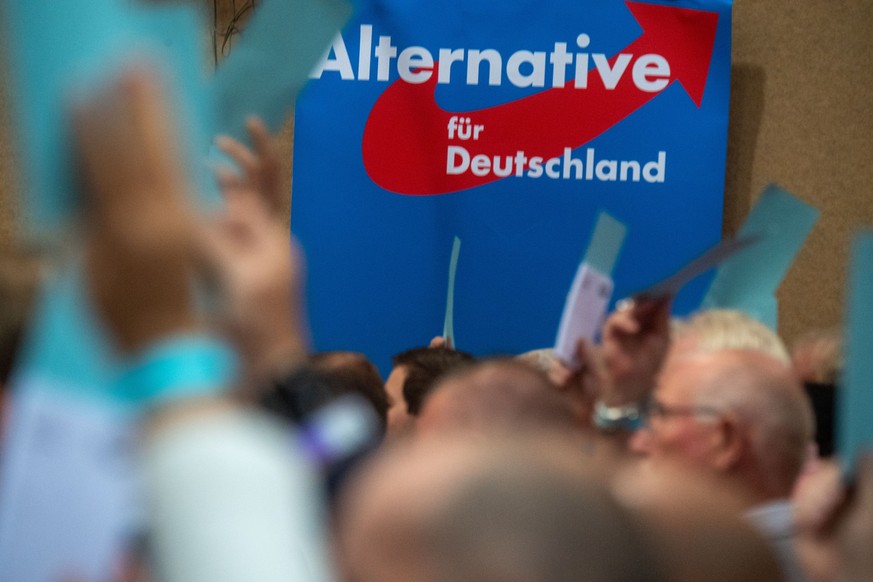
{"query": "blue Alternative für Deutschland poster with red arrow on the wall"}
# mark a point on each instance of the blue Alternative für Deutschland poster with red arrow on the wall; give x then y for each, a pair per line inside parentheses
(510, 125)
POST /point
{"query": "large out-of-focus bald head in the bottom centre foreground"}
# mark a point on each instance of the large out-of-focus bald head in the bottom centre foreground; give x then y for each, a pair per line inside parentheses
(452, 511)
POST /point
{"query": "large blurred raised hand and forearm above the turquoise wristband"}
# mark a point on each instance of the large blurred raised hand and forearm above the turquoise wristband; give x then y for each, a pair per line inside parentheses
(140, 227)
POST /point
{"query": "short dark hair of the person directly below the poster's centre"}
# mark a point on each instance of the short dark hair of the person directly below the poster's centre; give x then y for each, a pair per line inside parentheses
(424, 367)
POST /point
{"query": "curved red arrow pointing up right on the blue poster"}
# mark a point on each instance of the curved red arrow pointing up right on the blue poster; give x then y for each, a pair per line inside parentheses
(405, 139)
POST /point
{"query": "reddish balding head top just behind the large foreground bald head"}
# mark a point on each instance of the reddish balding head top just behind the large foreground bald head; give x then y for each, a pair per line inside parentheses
(496, 395)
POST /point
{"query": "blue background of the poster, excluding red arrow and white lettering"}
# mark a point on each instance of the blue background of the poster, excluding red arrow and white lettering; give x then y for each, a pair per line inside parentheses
(378, 261)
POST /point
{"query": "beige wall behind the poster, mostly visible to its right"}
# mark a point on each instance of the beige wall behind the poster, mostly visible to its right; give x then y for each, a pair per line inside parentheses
(801, 115)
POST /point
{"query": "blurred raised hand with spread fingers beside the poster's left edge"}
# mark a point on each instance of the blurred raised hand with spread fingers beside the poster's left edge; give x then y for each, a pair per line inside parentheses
(257, 265)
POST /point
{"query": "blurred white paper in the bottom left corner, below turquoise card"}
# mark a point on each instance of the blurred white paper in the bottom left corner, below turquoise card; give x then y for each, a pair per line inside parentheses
(67, 488)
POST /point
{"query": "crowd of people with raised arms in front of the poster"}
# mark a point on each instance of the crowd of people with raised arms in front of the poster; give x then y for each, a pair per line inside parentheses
(686, 449)
